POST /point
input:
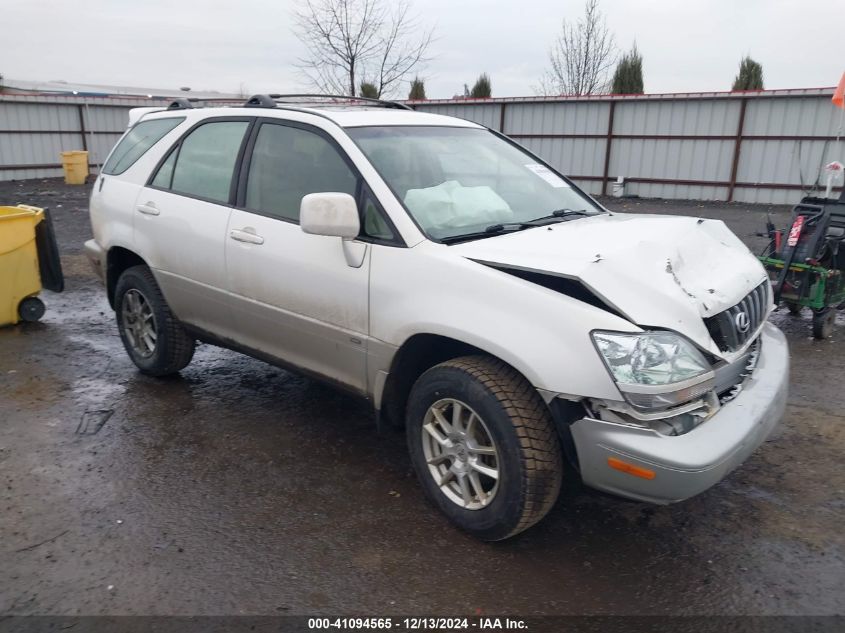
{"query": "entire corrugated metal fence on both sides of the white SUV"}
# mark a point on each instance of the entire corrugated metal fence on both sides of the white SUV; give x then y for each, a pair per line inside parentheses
(753, 147)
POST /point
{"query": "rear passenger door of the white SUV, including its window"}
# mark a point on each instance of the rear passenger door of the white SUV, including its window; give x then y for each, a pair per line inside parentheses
(182, 217)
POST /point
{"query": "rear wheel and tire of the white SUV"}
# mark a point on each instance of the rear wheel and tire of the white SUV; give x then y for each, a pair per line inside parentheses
(169, 348)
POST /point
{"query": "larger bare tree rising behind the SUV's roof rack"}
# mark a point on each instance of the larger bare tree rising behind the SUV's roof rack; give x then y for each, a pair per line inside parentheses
(353, 41)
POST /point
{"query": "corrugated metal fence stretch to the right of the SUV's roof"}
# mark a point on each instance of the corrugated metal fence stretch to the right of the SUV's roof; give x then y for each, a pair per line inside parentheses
(763, 146)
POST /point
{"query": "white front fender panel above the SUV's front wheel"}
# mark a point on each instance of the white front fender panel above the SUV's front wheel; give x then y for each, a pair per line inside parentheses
(541, 333)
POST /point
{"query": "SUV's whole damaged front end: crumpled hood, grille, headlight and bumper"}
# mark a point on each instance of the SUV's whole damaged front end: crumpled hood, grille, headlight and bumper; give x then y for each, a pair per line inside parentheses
(701, 376)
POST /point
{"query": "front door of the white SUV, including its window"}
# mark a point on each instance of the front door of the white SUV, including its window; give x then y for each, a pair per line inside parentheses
(297, 297)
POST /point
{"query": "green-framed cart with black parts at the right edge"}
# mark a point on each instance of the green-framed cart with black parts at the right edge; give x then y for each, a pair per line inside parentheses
(806, 263)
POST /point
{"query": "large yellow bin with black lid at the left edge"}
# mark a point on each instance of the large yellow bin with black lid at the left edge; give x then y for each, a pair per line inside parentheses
(29, 259)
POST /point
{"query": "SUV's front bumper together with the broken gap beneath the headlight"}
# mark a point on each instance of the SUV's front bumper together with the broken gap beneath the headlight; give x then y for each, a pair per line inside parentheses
(672, 454)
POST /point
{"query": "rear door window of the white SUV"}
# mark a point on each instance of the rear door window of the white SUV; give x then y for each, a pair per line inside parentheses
(205, 161)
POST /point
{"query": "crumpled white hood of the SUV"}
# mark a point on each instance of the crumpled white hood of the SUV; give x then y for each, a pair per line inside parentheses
(657, 271)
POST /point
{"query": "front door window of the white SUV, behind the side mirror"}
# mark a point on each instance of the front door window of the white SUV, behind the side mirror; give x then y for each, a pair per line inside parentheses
(287, 163)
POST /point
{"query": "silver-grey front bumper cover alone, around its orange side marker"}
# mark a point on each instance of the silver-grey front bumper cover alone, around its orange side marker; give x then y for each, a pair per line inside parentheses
(688, 464)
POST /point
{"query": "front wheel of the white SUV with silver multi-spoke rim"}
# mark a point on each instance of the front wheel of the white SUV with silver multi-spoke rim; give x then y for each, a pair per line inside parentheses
(509, 411)
